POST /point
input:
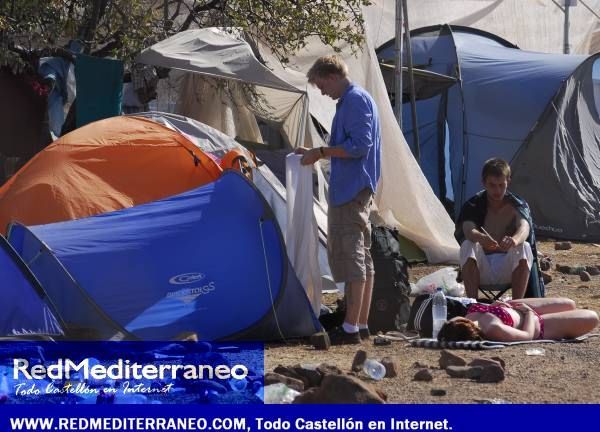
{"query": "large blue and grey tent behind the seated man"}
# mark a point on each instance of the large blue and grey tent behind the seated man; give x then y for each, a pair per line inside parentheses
(536, 110)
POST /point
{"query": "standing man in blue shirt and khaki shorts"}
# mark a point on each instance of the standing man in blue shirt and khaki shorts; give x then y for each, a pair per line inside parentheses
(355, 152)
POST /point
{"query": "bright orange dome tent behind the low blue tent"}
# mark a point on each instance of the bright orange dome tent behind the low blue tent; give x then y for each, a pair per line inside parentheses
(107, 165)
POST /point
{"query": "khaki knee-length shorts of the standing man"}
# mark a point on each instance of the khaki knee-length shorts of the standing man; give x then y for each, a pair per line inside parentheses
(349, 239)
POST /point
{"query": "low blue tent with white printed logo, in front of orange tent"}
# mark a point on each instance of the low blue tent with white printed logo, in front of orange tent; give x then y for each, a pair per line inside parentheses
(210, 261)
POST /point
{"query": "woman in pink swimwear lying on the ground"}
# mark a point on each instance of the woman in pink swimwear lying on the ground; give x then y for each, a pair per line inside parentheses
(521, 320)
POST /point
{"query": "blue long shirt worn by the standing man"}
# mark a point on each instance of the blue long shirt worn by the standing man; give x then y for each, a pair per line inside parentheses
(355, 128)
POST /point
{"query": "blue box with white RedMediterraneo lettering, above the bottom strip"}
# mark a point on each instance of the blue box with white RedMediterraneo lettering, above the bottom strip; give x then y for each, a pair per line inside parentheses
(81, 373)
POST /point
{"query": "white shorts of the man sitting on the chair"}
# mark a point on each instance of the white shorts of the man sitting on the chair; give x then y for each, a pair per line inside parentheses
(495, 268)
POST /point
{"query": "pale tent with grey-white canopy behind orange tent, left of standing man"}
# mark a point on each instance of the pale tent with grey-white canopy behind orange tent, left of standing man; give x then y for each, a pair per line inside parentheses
(218, 53)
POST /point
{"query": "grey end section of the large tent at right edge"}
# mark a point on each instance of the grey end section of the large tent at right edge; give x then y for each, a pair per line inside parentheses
(557, 169)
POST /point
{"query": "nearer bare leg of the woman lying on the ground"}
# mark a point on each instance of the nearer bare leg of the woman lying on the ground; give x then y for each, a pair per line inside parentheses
(569, 324)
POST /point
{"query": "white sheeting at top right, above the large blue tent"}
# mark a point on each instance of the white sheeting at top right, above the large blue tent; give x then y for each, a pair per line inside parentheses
(535, 25)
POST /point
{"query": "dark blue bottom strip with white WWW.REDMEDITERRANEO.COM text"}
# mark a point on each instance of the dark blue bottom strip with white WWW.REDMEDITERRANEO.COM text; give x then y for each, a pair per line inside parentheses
(245, 418)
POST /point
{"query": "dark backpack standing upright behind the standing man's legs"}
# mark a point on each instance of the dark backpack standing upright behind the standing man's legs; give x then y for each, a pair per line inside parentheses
(390, 305)
